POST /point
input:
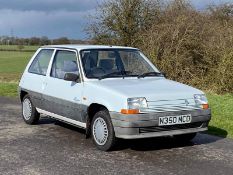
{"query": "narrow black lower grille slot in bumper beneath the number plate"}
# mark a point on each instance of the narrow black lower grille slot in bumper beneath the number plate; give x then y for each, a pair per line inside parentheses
(171, 127)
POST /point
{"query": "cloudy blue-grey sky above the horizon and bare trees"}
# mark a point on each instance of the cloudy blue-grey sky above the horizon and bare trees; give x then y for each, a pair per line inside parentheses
(54, 18)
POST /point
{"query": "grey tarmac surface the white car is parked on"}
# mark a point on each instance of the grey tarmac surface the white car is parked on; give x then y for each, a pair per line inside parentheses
(55, 148)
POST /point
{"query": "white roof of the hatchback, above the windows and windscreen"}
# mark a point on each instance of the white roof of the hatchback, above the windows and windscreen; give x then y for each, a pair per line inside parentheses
(81, 47)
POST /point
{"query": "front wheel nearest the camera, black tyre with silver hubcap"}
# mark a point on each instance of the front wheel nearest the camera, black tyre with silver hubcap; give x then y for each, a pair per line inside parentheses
(103, 134)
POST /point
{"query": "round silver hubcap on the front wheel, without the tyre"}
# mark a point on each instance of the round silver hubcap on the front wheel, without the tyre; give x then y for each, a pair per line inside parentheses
(100, 131)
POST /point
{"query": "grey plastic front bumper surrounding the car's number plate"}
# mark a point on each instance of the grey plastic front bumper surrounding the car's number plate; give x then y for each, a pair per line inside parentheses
(147, 125)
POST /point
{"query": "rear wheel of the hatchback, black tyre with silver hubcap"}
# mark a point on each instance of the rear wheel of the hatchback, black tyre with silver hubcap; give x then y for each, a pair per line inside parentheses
(29, 113)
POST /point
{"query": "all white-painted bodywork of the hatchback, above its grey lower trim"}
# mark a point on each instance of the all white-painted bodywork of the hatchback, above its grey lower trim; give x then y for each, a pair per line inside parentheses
(111, 92)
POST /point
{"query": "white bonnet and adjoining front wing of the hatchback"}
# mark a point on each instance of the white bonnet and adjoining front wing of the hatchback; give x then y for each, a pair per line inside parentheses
(113, 93)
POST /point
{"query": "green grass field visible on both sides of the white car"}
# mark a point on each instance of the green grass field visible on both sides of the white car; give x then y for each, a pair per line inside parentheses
(12, 64)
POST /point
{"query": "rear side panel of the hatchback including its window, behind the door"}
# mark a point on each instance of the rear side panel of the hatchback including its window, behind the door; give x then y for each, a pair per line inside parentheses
(34, 77)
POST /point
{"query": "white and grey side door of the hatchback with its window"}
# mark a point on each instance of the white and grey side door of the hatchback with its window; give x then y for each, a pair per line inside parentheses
(63, 99)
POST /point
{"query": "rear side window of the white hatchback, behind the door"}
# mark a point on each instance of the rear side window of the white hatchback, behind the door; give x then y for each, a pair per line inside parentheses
(41, 62)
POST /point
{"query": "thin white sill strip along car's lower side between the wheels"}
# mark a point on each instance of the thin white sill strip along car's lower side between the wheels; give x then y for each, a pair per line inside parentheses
(83, 125)
